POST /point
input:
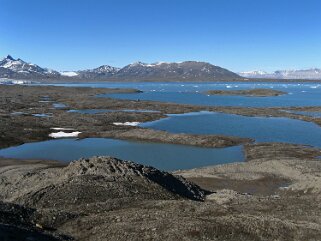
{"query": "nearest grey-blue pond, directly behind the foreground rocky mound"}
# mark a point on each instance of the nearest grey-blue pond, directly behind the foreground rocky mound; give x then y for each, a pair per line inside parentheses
(163, 156)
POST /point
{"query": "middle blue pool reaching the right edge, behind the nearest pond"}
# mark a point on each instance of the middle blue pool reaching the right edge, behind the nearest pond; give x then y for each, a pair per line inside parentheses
(262, 129)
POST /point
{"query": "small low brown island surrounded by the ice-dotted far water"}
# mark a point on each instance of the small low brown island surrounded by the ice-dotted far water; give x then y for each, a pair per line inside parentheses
(249, 93)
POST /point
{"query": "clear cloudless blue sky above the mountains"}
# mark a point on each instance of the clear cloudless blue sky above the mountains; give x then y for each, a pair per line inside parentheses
(235, 34)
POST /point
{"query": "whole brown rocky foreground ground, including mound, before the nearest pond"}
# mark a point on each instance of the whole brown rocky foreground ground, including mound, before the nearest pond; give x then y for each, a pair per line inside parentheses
(266, 198)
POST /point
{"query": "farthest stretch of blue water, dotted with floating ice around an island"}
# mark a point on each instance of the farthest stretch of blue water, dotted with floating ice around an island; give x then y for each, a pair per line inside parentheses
(299, 94)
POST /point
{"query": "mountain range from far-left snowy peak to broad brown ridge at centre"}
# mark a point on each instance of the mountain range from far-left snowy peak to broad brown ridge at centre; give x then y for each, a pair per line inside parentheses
(11, 68)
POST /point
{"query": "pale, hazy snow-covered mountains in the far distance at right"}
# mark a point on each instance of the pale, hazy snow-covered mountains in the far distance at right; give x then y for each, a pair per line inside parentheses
(284, 74)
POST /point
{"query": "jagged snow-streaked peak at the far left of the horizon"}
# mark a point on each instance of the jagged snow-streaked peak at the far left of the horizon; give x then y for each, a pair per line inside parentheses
(17, 68)
